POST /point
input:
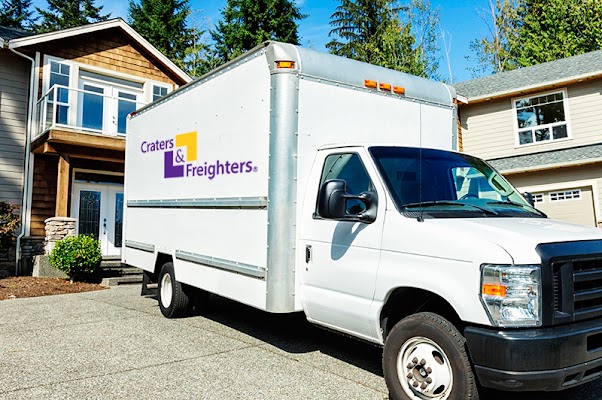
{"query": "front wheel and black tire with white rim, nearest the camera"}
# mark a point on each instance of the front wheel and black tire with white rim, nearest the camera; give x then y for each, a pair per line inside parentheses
(425, 358)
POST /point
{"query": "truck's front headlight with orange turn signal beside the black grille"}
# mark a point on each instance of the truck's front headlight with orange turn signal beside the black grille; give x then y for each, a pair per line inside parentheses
(512, 294)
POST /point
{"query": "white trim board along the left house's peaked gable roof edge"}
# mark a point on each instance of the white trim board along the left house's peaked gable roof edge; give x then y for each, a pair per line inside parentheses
(113, 23)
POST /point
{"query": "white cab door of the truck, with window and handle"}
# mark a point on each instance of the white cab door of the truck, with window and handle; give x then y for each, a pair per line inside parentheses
(341, 256)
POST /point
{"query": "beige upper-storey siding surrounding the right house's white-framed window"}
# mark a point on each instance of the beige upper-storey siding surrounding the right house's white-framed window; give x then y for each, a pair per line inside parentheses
(488, 128)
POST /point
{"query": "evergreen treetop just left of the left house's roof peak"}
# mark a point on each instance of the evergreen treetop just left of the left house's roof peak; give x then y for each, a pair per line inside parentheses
(62, 14)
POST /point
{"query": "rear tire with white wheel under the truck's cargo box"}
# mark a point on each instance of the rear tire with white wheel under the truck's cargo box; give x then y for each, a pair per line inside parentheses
(174, 300)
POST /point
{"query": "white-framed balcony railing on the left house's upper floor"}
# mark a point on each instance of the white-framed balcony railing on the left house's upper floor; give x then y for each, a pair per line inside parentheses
(85, 110)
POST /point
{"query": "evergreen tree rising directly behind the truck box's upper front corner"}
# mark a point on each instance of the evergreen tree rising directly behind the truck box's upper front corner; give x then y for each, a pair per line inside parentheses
(248, 23)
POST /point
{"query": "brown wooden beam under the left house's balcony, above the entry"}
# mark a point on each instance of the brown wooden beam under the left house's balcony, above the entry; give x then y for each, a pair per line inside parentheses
(74, 144)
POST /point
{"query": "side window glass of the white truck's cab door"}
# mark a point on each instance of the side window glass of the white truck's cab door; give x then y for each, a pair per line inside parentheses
(348, 167)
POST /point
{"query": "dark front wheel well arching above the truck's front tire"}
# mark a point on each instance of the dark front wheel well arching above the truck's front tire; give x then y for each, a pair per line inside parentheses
(406, 301)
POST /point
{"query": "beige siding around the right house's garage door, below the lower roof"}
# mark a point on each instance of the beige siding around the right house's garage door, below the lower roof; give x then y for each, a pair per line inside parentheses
(563, 179)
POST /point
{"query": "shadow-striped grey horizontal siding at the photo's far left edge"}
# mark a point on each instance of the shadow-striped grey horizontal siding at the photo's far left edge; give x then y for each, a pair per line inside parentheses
(14, 83)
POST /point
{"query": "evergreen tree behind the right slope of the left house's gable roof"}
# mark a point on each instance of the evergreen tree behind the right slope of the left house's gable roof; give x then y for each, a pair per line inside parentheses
(163, 24)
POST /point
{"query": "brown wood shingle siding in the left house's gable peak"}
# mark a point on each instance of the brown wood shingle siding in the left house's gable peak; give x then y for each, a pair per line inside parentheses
(111, 50)
